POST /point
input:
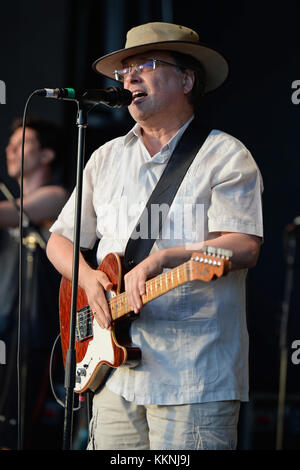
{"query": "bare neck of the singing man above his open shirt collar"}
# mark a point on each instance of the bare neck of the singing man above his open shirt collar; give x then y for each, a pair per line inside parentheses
(157, 134)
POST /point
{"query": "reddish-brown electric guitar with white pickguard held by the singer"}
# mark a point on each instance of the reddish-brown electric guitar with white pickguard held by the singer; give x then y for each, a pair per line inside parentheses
(99, 351)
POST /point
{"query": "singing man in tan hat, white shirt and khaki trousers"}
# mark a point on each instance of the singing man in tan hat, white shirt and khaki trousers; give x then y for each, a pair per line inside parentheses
(186, 391)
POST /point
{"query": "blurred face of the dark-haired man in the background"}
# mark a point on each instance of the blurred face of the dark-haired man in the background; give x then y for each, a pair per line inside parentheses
(32, 153)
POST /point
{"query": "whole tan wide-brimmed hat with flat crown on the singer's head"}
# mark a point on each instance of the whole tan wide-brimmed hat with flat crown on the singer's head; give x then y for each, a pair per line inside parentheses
(168, 37)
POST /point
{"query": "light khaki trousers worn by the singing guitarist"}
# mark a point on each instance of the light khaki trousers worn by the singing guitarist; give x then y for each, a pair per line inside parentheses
(121, 425)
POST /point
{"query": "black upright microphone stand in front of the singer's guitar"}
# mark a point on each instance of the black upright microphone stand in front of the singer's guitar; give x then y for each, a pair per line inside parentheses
(70, 366)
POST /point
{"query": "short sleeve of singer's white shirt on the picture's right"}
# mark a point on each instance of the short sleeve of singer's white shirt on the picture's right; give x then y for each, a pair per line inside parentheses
(236, 197)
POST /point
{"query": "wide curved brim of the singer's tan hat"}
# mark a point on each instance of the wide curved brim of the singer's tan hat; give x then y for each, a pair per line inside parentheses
(215, 65)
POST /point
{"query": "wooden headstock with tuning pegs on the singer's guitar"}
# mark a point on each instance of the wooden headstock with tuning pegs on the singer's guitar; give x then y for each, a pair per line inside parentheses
(209, 264)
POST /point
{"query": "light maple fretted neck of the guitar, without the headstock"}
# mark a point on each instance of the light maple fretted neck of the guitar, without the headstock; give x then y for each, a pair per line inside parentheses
(155, 287)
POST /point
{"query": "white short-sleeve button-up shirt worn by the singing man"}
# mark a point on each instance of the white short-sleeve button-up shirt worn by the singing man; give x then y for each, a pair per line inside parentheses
(194, 339)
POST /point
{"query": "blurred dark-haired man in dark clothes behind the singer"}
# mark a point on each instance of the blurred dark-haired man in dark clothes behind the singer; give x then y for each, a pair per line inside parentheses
(44, 197)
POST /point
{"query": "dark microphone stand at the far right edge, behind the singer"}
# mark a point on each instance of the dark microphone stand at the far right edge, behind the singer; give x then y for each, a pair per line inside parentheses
(290, 260)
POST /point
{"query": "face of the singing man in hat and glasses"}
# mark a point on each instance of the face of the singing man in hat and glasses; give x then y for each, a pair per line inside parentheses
(162, 88)
